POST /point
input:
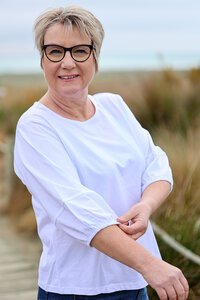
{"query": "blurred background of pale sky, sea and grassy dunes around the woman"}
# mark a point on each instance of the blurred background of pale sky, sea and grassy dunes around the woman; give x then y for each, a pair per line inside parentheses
(151, 57)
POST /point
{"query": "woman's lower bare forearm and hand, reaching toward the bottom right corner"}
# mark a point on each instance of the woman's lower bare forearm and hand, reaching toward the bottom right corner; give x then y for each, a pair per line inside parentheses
(167, 280)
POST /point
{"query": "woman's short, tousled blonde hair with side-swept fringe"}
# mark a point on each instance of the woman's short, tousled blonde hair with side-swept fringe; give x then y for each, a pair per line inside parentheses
(72, 16)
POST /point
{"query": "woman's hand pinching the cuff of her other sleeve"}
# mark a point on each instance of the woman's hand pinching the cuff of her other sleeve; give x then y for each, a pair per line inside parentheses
(135, 221)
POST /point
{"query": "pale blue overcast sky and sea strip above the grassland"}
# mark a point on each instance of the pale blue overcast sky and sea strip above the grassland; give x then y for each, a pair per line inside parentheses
(138, 32)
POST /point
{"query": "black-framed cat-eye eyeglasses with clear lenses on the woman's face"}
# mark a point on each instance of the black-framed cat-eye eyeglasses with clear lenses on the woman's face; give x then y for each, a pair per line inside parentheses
(79, 53)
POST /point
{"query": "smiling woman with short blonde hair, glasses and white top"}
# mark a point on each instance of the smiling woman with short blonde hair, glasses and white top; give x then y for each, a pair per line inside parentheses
(94, 174)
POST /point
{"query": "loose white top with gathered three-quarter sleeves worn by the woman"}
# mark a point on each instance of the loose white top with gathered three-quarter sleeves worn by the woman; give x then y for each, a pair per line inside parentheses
(82, 175)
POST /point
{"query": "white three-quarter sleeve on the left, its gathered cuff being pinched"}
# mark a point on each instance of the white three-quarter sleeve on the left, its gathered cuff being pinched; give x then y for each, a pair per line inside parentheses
(42, 163)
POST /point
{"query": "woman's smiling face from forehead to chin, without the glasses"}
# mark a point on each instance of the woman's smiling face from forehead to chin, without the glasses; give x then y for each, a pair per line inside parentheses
(67, 77)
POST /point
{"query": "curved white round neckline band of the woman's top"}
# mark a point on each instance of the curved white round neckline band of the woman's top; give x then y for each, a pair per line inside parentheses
(67, 119)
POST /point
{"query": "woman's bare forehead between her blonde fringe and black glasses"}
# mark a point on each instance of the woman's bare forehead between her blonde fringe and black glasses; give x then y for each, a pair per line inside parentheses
(65, 35)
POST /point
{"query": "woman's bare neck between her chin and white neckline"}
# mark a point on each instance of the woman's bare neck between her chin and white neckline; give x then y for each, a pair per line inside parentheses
(76, 108)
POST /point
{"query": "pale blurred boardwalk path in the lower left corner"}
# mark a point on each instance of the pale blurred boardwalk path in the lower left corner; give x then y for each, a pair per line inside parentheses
(19, 257)
